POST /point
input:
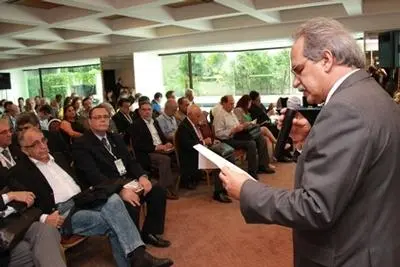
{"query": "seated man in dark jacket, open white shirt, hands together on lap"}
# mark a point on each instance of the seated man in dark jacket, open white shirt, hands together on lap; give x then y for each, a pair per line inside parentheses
(152, 148)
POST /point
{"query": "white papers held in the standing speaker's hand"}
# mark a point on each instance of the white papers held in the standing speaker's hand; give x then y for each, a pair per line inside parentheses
(210, 160)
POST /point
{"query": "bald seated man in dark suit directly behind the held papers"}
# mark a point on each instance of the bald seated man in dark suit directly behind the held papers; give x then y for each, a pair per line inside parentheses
(188, 135)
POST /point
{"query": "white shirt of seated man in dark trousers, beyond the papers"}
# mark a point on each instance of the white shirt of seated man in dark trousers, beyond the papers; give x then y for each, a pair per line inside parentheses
(224, 122)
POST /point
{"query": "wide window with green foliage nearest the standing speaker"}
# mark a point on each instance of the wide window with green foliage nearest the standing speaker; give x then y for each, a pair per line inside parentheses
(237, 73)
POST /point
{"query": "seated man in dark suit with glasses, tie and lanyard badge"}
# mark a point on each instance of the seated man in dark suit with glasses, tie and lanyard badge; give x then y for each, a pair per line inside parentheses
(101, 156)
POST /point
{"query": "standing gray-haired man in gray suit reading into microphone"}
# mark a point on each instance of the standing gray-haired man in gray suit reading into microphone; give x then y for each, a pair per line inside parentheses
(344, 208)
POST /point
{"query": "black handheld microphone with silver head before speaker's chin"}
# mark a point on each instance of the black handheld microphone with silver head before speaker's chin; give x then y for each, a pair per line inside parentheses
(293, 104)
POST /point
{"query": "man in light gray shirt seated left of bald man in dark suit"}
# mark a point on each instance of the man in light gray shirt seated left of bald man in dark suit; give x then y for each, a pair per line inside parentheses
(167, 120)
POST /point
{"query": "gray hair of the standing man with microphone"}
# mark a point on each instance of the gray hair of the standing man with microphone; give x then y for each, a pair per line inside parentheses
(328, 34)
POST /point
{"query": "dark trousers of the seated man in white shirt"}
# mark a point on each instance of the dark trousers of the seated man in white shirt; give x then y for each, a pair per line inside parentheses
(253, 149)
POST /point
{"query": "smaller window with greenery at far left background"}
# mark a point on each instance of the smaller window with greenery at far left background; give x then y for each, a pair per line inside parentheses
(66, 80)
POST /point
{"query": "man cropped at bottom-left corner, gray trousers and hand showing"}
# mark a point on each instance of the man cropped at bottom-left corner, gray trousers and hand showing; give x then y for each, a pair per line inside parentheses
(40, 245)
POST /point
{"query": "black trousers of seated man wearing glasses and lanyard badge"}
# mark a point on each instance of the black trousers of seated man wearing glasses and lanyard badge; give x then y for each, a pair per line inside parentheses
(155, 216)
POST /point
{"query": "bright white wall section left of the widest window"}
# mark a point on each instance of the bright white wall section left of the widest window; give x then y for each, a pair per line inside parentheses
(148, 74)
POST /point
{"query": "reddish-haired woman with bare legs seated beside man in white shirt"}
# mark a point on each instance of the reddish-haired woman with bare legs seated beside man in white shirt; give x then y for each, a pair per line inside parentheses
(242, 113)
